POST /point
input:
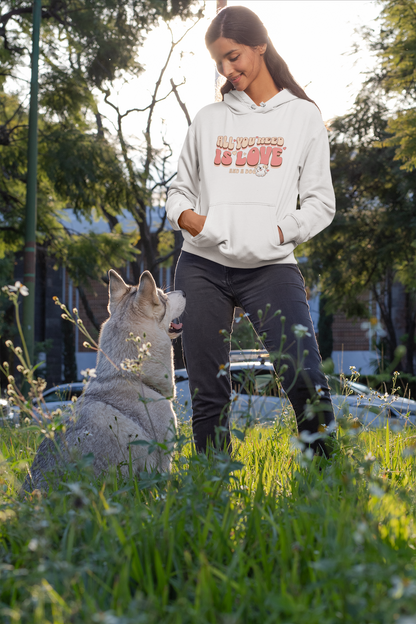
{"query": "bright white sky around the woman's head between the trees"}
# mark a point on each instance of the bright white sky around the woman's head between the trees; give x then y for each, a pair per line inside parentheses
(315, 37)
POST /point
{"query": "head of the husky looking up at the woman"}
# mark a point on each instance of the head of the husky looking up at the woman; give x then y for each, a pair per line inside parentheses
(147, 301)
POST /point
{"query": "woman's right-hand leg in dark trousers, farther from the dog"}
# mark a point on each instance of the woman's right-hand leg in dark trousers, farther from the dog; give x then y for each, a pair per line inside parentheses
(281, 287)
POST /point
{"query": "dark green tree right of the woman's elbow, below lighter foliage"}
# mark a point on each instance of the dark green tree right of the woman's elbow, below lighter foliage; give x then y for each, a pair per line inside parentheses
(370, 244)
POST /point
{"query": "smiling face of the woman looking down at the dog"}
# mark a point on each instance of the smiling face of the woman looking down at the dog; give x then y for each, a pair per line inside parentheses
(242, 65)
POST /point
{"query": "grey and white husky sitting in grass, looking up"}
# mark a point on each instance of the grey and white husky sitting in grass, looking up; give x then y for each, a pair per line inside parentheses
(123, 403)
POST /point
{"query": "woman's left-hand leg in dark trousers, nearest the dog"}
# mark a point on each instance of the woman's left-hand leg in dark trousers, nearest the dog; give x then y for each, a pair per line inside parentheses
(209, 309)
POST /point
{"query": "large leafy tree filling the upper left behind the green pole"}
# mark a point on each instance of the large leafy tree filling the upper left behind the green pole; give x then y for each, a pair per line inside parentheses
(86, 48)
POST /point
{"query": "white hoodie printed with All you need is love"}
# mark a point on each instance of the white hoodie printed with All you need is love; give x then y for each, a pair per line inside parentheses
(243, 166)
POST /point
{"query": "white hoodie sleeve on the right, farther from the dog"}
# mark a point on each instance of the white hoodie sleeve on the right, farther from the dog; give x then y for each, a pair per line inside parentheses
(316, 193)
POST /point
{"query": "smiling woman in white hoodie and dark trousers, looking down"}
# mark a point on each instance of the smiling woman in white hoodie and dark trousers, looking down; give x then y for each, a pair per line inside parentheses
(244, 163)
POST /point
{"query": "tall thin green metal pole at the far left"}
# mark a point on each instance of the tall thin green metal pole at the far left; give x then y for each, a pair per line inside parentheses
(31, 192)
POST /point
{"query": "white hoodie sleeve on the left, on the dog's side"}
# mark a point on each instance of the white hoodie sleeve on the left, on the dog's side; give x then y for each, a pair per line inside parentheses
(183, 192)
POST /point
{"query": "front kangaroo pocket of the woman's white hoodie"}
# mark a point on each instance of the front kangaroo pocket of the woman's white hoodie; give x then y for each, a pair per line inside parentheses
(244, 232)
